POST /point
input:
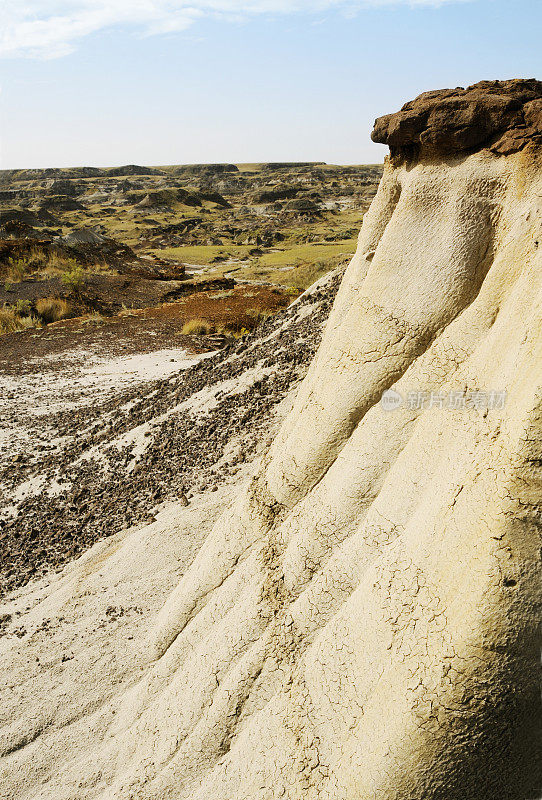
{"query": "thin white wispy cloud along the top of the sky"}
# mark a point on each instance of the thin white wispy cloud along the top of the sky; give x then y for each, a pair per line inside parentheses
(52, 28)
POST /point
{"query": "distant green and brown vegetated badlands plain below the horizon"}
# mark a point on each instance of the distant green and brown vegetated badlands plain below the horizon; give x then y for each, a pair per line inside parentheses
(266, 225)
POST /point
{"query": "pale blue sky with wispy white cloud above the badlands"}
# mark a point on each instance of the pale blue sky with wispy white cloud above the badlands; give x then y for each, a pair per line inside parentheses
(150, 82)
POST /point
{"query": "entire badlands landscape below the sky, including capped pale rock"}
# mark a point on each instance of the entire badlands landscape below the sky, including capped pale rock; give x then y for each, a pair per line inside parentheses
(293, 553)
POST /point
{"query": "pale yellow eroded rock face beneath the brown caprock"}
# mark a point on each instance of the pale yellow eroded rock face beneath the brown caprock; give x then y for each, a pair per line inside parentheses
(362, 621)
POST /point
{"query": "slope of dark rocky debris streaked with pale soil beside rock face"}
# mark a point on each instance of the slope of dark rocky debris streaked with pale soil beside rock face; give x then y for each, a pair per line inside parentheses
(91, 470)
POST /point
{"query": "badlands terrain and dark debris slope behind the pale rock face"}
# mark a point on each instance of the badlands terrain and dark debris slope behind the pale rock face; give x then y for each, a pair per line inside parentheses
(115, 287)
